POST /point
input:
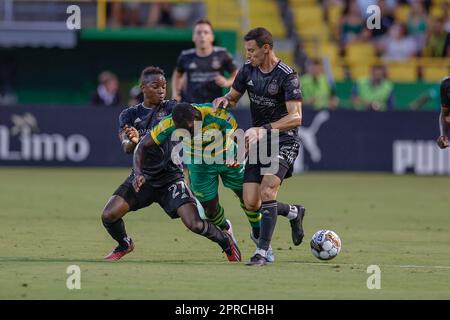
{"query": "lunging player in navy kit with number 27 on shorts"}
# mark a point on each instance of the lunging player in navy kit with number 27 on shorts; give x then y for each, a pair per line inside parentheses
(160, 179)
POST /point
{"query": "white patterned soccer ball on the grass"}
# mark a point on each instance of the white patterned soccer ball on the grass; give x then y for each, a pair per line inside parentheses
(325, 244)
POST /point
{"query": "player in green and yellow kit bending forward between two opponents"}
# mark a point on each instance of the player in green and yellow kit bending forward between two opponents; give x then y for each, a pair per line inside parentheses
(205, 156)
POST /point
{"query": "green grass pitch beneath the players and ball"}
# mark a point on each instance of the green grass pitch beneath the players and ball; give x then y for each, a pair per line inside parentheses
(50, 219)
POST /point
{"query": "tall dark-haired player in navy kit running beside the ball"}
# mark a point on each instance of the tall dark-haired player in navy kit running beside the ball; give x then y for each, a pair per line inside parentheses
(275, 97)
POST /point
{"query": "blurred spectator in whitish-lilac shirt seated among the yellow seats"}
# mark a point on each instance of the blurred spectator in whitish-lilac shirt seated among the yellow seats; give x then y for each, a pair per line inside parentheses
(397, 45)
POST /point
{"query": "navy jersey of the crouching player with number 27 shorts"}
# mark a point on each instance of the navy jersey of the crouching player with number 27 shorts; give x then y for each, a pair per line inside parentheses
(158, 167)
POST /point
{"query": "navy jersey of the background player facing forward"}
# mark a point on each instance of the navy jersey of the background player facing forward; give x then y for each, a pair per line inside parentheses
(201, 71)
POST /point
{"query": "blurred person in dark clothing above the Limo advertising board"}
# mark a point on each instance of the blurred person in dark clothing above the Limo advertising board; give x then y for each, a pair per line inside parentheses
(107, 93)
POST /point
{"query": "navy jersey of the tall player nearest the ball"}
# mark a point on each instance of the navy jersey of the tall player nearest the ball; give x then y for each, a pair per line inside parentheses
(268, 93)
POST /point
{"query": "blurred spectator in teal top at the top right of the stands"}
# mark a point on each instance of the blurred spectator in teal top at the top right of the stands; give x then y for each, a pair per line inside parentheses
(417, 23)
